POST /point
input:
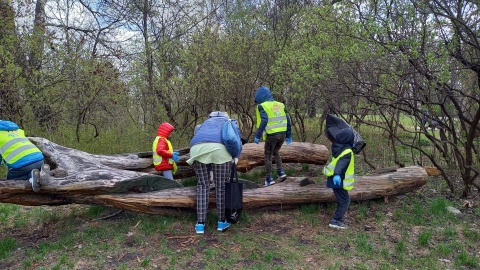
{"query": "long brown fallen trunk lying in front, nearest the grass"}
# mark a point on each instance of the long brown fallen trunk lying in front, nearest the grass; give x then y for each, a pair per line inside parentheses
(282, 195)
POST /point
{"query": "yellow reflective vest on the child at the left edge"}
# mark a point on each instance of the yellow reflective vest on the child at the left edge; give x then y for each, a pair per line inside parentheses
(15, 145)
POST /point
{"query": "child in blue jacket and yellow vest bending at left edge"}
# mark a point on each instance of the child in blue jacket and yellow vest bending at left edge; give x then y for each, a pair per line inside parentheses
(22, 158)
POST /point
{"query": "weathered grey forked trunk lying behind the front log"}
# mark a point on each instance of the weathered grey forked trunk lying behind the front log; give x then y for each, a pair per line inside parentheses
(77, 172)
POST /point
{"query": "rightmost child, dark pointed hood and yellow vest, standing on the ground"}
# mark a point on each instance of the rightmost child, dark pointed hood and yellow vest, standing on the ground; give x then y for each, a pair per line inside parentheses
(340, 174)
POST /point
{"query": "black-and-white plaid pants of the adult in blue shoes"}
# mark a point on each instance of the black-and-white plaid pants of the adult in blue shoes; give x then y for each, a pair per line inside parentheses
(221, 173)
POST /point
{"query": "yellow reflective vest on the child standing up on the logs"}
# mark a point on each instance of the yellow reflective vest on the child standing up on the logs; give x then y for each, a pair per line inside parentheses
(277, 118)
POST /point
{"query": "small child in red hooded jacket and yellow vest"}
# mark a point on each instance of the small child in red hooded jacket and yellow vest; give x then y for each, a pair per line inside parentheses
(164, 158)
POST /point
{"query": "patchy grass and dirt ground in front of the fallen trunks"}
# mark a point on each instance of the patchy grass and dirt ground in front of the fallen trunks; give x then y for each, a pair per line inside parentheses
(289, 239)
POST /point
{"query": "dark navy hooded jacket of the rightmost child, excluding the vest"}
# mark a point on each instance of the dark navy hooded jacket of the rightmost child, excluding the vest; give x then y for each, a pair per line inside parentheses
(344, 140)
